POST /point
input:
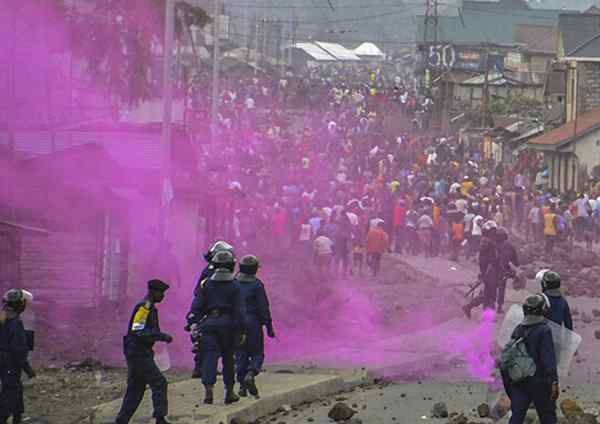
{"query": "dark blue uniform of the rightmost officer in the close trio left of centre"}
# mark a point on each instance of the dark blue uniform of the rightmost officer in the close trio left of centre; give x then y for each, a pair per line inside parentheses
(255, 314)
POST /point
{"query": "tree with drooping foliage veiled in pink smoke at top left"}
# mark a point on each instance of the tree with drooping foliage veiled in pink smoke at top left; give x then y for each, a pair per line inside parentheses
(121, 42)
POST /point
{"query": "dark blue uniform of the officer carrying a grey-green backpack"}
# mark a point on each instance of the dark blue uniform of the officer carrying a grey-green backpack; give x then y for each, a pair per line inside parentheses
(536, 389)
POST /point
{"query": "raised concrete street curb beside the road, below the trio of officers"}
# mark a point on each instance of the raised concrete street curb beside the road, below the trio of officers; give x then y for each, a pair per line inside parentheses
(306, 394)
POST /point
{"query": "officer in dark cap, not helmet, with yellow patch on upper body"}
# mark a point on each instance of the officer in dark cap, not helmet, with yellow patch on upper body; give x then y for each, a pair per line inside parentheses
(142, 333)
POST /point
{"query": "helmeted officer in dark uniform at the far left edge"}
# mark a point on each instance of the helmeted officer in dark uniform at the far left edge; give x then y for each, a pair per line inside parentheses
(14, 348)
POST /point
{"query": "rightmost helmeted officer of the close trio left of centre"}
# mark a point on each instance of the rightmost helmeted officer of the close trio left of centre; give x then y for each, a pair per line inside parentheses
(255, 314)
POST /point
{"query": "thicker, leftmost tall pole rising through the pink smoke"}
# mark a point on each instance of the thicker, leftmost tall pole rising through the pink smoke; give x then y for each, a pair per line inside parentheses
(166, 189)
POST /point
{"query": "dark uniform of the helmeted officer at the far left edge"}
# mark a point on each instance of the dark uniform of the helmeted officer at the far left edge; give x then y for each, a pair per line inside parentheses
(13, 358)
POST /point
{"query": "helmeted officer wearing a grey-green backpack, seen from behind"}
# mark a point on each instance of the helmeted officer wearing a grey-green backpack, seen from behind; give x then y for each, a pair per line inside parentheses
(542, 388)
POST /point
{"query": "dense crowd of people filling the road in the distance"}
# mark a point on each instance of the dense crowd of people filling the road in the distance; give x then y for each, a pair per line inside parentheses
(323, 151)
